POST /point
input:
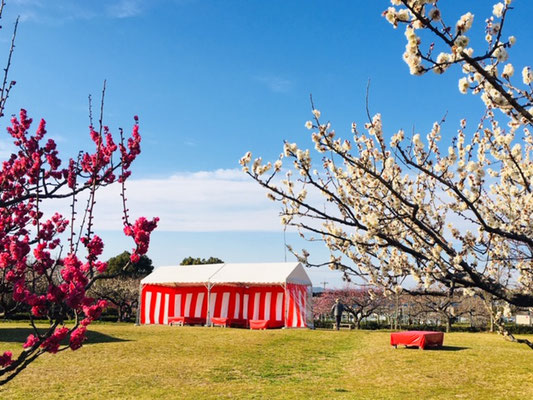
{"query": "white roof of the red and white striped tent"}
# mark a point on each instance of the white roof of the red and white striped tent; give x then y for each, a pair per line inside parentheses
(229, 273)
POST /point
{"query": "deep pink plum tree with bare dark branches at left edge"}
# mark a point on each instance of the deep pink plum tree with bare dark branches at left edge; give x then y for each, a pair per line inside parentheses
(48, 263)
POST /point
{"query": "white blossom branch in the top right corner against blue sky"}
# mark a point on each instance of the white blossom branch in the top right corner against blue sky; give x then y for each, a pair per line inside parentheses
(487, 73)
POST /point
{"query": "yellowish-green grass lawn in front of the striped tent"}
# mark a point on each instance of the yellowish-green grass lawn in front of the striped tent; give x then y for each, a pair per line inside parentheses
(122, 361)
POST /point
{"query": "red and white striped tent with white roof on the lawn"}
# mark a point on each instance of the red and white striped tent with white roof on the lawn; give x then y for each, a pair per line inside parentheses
(279, 293)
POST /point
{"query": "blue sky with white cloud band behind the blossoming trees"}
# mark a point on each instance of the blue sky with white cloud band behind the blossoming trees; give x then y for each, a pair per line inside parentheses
(211, 80)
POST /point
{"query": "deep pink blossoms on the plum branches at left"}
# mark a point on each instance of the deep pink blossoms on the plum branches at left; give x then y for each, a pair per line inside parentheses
(27, 238)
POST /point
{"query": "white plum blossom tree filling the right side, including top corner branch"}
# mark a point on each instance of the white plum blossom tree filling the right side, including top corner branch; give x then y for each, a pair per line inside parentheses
(408, 209)
